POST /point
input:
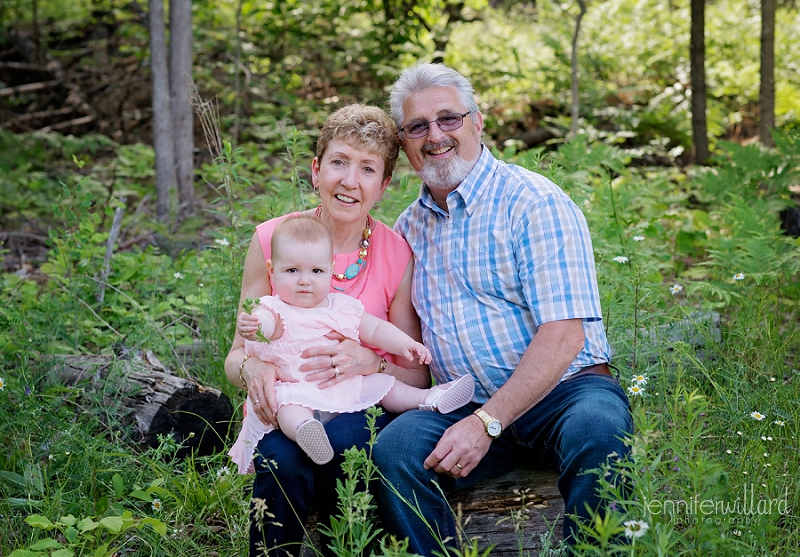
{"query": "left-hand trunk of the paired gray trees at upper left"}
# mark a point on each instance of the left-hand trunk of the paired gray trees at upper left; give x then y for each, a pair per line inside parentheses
(166, 178)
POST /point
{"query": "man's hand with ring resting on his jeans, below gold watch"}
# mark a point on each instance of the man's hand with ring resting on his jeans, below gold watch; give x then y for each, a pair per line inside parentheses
(460, 449)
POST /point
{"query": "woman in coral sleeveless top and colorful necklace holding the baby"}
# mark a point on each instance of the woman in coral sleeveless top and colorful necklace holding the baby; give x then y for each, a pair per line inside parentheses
(356, 153)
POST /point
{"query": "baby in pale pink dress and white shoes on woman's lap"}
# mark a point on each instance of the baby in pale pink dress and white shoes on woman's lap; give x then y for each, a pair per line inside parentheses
(301, 311)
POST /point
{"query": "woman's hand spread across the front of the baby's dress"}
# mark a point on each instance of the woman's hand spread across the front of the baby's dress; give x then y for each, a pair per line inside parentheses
(332, 364)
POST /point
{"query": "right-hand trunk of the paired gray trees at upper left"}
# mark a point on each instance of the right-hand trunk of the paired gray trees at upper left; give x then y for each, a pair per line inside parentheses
(180, 74)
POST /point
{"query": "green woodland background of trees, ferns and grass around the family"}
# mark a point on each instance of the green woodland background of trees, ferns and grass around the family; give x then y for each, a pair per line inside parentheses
(114, 245)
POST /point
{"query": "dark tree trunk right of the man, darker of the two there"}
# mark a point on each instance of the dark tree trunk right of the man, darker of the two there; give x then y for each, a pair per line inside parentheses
(697, 60)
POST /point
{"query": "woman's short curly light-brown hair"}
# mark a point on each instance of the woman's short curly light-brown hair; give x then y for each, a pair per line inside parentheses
(366, 128)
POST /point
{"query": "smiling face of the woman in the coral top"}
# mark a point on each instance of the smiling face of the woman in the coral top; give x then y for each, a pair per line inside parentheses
(350, 181)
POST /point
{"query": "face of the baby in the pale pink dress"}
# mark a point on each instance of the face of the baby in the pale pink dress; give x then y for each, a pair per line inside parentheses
(301, 273)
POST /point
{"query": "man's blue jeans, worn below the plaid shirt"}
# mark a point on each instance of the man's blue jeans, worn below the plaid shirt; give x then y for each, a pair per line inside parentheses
(574, 428)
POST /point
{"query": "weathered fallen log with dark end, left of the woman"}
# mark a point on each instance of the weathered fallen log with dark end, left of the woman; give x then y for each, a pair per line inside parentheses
(147, 396)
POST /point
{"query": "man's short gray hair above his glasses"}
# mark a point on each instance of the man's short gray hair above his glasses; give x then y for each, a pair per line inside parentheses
(427, 76)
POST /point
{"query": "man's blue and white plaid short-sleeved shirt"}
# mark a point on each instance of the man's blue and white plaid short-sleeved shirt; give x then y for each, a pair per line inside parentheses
(514, 252)
